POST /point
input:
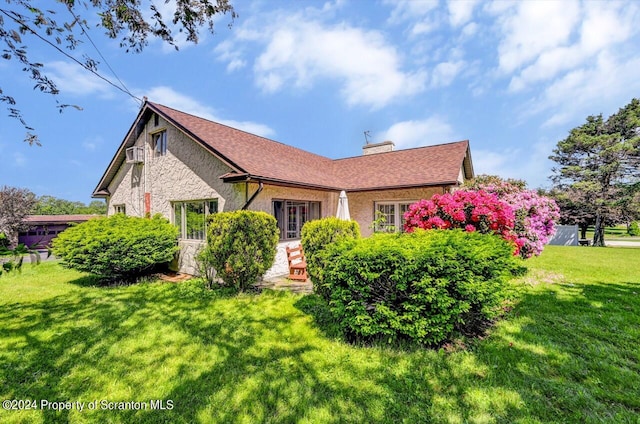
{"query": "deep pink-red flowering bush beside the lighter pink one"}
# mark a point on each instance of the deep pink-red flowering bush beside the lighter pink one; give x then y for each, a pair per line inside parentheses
(469, 210)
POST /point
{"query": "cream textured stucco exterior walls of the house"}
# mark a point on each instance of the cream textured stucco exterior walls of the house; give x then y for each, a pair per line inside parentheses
(189, 172)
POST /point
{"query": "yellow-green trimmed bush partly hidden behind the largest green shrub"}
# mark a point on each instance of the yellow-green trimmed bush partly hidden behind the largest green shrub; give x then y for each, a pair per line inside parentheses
(316, 236)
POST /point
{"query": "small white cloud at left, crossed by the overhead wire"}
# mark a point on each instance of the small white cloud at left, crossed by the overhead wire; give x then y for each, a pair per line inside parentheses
(71, 78)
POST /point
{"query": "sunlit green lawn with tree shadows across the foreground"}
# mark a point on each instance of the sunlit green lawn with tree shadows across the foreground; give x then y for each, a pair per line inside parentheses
(569, 351)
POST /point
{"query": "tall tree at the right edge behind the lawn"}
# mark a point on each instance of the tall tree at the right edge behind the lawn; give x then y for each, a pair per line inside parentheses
(598, 162)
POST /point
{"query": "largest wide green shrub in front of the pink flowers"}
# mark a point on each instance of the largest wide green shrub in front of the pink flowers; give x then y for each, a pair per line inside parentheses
(419, 286)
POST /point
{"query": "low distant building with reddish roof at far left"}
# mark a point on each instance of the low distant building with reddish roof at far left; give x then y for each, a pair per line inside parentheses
(44, 228)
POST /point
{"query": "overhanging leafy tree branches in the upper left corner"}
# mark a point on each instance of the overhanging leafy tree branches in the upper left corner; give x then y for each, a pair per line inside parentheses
(63, 29)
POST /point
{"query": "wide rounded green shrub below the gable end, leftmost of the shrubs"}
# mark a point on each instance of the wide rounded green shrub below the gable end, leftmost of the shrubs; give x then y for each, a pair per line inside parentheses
(117, 247)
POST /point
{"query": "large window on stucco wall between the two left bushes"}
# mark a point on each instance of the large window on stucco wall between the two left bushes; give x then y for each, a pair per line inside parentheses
(191, 218)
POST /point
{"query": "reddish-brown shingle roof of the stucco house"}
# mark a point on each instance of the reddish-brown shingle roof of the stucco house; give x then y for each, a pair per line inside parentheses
(252, 156)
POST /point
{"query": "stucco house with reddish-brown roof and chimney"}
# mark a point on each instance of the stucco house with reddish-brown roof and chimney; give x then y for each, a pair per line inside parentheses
(186, 167)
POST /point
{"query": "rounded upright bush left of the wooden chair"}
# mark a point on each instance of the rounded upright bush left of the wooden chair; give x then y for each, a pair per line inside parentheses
(241, 246)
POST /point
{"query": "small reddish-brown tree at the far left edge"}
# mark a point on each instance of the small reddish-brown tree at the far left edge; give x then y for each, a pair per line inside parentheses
(15, 205)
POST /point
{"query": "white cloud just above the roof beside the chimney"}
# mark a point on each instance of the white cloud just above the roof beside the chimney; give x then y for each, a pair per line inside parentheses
(429, 131)
